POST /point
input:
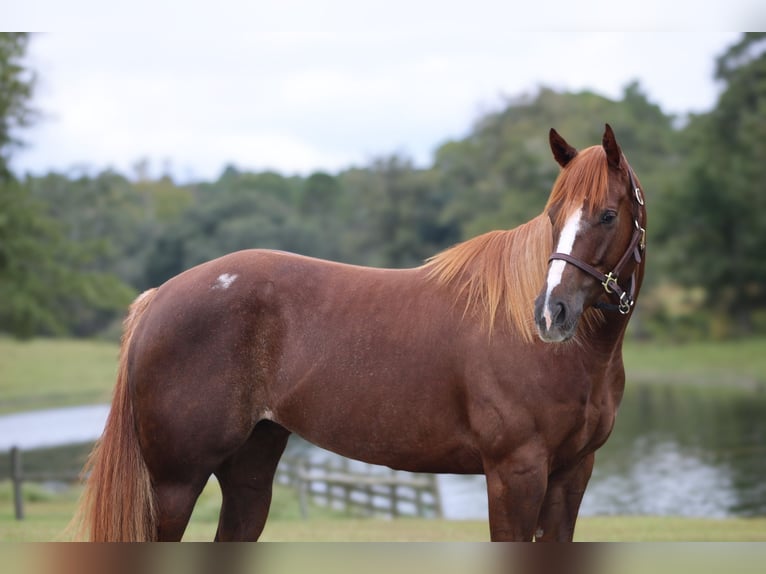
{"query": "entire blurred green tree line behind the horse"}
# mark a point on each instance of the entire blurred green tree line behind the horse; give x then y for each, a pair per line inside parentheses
(75, 248)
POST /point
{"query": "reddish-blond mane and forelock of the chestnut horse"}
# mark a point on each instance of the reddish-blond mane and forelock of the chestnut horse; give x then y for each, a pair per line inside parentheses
(500, 273)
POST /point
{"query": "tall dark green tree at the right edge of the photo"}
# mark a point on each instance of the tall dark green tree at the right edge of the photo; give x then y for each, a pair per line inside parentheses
(718, 223)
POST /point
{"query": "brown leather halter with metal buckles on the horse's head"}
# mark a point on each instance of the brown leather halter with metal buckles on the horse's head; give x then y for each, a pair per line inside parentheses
(625, 299)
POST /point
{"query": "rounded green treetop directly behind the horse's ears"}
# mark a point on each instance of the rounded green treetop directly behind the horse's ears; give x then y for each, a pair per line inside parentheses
(501, 174)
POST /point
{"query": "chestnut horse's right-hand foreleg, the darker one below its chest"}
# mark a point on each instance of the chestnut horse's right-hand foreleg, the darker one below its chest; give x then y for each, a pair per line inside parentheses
(562, 502)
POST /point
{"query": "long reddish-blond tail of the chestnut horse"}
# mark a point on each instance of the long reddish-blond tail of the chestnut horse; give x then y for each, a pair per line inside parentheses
(118, 503)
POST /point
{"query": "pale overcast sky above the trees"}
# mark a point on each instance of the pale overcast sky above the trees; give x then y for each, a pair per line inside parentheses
(299, 85)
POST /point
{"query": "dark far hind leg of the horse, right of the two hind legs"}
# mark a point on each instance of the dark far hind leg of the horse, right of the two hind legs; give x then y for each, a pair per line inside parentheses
(246, 479)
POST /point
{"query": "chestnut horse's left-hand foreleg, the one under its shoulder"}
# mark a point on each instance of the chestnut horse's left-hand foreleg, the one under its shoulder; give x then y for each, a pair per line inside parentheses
(515, 489)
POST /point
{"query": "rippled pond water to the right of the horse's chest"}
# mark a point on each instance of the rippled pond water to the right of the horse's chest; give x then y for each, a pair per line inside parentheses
(685, 451)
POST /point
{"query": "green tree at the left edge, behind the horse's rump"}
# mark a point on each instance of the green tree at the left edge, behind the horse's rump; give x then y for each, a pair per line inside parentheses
(48, 284)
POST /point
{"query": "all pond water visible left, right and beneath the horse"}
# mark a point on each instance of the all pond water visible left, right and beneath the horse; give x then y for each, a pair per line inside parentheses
(675, 450)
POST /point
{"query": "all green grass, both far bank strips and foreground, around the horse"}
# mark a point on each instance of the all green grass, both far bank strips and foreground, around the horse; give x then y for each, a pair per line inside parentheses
(49, 373)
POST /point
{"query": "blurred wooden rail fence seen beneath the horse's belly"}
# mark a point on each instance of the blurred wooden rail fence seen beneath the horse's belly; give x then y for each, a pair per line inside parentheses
(359, 489)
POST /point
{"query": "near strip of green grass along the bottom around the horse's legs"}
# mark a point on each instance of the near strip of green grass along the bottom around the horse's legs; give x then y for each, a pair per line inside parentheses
(48, 514)
